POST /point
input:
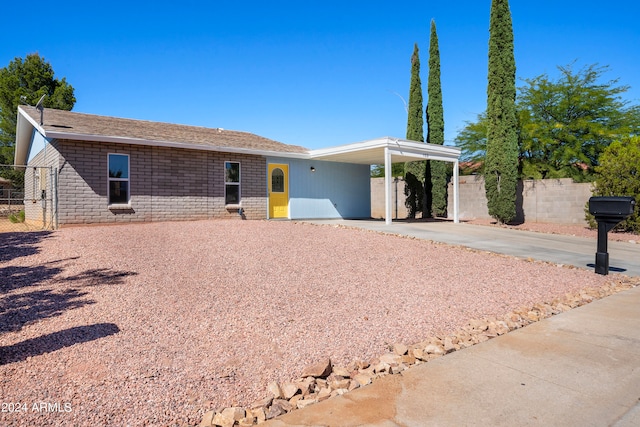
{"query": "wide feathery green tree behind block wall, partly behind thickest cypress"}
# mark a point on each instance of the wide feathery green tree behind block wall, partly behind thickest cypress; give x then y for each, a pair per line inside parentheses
(564, 124)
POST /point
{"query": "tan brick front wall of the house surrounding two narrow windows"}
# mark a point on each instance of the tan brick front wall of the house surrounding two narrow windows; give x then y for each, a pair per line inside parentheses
(165, 184)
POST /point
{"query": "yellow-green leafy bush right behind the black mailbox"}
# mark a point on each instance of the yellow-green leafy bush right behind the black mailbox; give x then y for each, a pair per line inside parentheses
(618, 174)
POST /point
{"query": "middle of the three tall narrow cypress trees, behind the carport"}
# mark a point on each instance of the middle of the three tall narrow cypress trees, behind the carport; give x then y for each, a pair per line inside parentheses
(435, 132)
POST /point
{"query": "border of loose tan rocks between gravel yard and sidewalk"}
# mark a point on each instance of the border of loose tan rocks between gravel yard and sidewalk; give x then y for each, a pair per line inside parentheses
(324, 380)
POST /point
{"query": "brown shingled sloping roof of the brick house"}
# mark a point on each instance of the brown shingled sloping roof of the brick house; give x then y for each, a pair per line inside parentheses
(78, 124)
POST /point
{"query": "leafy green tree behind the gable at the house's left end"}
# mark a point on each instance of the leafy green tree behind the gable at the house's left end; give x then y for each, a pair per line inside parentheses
(24, 82)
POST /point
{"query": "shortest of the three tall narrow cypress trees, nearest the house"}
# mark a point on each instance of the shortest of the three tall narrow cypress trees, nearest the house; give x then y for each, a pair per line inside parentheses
(415, 171)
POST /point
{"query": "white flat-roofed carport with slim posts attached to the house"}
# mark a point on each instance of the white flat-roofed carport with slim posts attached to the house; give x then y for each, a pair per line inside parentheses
(392, 150)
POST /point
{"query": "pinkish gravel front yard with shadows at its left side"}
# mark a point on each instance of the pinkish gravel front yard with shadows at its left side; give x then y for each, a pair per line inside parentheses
(154, 324)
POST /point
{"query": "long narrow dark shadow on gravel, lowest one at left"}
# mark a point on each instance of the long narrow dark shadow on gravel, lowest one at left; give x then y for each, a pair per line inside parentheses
(55, 341)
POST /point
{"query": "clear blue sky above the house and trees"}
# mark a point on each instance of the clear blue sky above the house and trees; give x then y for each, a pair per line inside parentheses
(310, 73)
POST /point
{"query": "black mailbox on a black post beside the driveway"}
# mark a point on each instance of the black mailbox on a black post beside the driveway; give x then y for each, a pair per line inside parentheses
(608, 211)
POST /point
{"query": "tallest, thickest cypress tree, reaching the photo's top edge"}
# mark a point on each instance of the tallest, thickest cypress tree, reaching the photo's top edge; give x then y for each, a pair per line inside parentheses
(501, 162)
